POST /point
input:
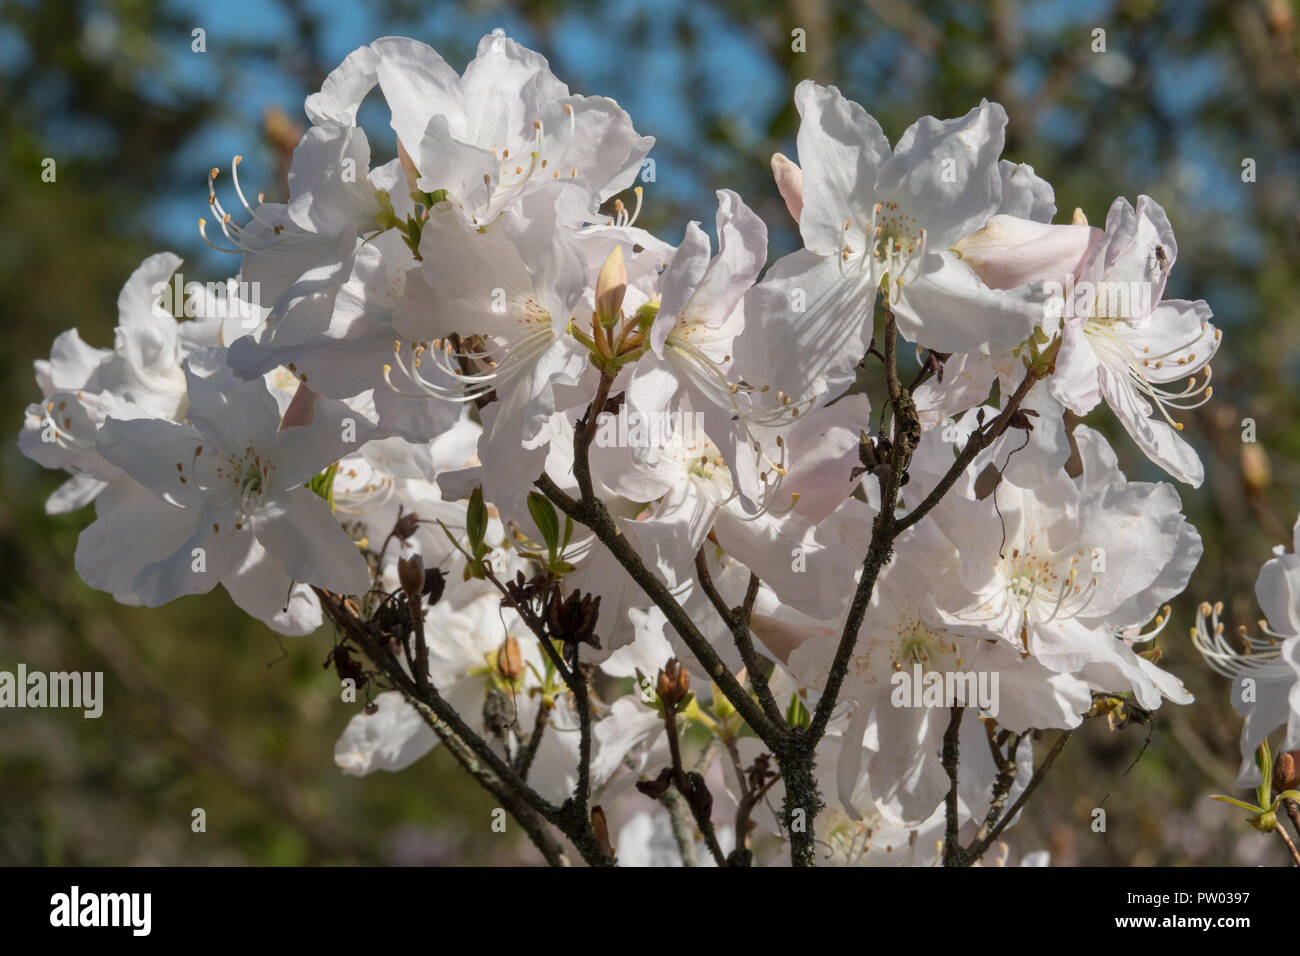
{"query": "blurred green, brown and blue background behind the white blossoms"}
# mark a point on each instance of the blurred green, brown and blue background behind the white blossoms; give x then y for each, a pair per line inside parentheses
(203, 706)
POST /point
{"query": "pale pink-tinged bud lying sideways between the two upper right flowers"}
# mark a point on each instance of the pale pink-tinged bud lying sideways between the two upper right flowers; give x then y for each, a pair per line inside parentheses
(1011, 252)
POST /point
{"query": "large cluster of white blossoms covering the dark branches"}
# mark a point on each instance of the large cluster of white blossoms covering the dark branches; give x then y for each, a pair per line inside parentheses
(444, 323)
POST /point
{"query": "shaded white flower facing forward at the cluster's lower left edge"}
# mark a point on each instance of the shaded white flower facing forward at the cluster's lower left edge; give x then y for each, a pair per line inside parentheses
(218, 487)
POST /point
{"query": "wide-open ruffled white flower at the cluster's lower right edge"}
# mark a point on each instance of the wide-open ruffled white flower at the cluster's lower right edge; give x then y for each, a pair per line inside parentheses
(1071, 570)
